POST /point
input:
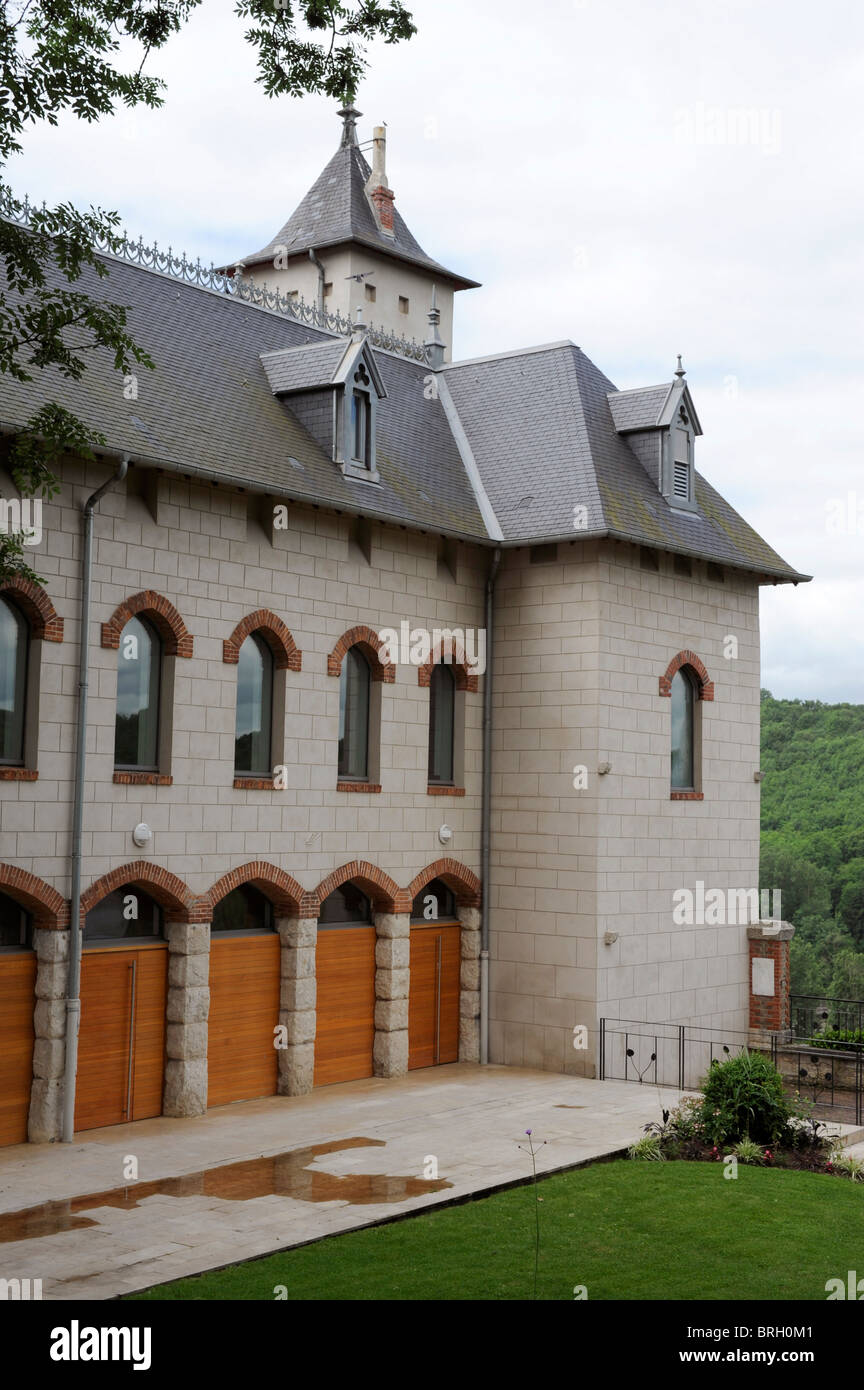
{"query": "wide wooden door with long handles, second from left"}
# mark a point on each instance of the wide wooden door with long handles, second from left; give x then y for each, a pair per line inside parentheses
(122, 1045)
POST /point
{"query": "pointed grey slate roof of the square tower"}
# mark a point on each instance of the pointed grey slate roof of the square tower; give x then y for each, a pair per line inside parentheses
(337, 211)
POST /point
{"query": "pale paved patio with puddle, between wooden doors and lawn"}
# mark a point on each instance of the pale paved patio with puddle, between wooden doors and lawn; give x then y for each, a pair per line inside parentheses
(470, 1120)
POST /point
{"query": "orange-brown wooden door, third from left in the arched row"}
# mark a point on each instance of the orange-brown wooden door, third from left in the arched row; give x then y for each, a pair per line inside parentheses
(242, 1061)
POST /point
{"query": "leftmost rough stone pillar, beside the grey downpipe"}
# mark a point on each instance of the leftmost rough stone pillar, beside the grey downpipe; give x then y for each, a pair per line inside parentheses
(49, 1021)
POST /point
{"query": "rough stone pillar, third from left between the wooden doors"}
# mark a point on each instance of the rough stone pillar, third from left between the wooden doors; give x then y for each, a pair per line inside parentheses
(298, 1004)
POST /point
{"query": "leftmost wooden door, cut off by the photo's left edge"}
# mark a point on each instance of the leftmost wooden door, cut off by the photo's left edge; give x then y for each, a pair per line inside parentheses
(17, 1003)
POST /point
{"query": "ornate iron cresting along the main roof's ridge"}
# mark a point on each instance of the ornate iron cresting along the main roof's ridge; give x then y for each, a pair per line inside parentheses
(210, 277)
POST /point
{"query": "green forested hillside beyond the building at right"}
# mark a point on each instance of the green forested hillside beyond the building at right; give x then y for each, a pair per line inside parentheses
(813, 837)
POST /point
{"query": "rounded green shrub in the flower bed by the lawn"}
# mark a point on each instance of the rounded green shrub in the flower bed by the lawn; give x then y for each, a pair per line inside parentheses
(744, 1099)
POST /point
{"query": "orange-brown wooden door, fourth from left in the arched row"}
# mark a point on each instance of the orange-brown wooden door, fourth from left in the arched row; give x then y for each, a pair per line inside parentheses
(345, 964)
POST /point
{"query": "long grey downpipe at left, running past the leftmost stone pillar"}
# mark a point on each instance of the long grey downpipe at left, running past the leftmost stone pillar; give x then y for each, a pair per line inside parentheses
(81, 757)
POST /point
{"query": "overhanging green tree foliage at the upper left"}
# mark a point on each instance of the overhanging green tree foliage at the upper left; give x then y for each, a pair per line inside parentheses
(59, 56)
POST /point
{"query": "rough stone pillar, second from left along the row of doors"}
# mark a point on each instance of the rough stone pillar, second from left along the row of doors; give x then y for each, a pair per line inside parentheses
(188, 1010)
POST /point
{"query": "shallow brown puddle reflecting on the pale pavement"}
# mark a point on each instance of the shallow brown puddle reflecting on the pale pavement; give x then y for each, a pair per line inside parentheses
(283, 1175)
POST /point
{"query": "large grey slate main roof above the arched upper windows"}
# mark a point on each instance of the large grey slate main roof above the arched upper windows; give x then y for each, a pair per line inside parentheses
(523, 437)
